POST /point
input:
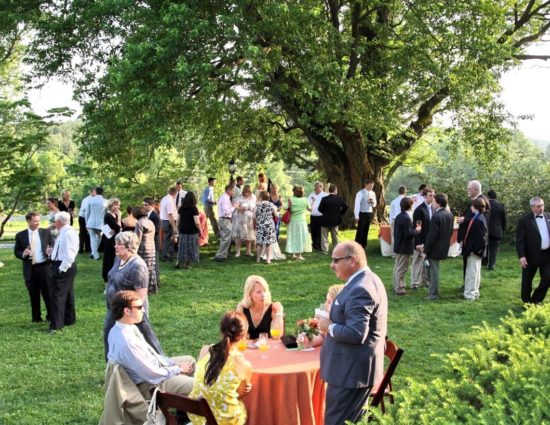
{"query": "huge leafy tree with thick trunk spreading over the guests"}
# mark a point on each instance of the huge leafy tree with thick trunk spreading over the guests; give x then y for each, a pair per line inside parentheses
(356, 82)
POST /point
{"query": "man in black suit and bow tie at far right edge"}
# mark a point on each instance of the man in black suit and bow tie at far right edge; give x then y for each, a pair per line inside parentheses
(533, 247)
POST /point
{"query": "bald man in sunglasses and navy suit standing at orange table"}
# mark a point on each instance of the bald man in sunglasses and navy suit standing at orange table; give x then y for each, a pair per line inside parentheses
(352, 356)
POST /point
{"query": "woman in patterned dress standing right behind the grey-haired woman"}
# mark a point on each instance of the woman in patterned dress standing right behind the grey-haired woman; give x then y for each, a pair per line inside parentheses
(145, 231)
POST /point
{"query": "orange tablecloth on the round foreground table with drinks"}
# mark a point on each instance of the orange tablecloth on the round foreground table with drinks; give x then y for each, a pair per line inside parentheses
(286, 387)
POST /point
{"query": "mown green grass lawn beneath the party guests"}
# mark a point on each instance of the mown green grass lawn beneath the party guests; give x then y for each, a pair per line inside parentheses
(59, 379)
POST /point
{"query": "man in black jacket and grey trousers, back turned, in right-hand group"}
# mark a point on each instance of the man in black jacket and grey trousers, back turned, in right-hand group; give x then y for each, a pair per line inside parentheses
(438, 241)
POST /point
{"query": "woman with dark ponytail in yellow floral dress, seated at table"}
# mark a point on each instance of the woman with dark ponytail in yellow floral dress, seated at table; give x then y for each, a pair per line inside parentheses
(223, 375)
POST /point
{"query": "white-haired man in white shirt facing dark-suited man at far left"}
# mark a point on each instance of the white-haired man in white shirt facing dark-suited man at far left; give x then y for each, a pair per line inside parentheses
(63, 272)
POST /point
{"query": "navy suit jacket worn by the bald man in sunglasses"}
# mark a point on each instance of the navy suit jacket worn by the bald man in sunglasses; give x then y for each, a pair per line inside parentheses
(354, 356)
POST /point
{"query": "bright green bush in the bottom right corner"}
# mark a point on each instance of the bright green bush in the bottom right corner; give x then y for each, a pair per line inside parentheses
(503, 378)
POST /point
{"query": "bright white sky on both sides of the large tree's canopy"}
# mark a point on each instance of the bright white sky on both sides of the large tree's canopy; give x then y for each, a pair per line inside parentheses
(526, 91)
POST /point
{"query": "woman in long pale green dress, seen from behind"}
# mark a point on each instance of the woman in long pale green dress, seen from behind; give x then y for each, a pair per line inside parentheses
(297, 239)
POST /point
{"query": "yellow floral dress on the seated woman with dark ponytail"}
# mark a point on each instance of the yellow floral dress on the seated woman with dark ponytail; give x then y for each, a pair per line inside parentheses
(222, 395)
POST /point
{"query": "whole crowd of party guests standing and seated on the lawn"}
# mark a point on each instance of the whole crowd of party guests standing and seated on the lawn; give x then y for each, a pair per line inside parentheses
(132, 248)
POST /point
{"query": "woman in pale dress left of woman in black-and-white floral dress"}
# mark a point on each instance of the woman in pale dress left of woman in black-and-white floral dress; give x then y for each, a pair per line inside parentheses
(243, 221)
